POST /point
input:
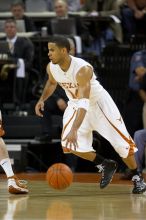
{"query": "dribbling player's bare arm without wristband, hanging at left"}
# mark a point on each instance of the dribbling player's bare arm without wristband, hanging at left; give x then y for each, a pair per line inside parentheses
(48, 90)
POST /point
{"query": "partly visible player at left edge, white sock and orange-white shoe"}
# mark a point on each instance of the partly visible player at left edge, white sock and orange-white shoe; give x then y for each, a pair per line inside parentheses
(15, 186)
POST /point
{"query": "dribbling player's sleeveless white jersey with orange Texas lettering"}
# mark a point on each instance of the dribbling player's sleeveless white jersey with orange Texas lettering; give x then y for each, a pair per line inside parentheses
(67, 80)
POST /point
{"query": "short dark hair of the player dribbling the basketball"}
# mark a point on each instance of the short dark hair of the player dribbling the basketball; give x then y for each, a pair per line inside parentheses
(60, 41)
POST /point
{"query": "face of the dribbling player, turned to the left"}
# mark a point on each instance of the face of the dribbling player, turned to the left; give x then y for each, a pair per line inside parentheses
(55, 53)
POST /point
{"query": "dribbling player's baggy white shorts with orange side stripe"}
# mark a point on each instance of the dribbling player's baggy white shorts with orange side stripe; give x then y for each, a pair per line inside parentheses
(105, 118)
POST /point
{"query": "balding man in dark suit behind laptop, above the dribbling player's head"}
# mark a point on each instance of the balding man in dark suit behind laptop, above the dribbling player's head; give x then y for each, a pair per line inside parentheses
(61, 10)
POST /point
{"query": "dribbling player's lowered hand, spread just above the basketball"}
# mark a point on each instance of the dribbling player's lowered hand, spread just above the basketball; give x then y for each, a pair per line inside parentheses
(71, 140)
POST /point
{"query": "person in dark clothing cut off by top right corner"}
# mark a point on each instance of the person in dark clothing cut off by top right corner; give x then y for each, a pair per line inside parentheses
(134, 18)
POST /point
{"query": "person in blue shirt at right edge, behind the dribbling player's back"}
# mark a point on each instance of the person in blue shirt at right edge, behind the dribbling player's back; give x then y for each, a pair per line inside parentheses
(134, 104)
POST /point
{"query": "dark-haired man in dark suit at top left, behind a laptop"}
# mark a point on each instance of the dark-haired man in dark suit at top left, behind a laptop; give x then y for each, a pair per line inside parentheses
(18, 9)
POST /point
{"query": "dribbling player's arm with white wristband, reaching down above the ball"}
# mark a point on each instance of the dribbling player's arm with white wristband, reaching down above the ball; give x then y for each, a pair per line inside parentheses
(83, 78)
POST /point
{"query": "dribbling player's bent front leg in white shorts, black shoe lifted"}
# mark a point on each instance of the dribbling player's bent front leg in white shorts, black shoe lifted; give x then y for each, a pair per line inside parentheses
(85, 150)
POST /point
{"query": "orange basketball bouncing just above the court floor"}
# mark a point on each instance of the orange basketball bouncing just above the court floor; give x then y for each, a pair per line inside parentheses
(59, 176)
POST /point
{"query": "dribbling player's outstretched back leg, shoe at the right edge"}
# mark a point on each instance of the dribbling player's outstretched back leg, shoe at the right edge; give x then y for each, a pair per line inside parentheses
(111, 126)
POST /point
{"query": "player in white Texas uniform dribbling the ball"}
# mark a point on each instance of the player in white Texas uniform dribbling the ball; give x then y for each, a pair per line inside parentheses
(90, 108)
